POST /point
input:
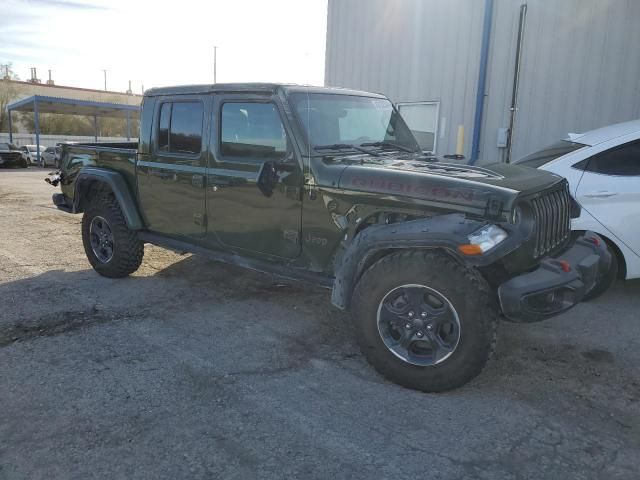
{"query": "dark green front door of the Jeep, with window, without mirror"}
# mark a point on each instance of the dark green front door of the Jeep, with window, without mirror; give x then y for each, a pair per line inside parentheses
(246, 132)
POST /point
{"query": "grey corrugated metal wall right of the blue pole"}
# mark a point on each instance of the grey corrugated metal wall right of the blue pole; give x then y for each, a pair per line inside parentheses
(580, 70)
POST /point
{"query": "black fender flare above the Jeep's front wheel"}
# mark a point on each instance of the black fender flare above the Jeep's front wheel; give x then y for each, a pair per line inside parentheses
(445, 231)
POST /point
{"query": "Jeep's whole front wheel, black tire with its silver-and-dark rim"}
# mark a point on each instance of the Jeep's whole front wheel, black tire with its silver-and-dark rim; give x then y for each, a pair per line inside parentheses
(424, 321)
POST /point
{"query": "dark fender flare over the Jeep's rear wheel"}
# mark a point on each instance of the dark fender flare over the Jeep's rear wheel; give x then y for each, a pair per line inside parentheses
(118, 186)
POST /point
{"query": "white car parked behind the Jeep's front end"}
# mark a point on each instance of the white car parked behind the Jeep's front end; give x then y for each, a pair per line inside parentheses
(603, 170)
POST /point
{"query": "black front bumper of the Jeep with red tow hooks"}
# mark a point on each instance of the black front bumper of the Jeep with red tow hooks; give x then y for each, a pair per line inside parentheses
(558, 283)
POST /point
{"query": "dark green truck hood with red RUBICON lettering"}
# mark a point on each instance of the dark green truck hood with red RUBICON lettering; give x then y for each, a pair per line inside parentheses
(491, 187)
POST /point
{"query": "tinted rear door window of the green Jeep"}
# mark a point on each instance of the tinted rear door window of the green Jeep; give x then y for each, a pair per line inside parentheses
(180, 127)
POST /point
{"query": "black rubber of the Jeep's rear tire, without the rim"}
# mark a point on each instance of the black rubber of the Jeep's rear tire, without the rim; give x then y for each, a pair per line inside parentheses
(128, 250)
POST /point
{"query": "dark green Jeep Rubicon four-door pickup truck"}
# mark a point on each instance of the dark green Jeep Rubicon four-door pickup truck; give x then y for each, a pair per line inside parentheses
(329, 186)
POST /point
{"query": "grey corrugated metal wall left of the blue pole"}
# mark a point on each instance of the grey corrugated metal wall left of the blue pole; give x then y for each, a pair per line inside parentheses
(410, 50)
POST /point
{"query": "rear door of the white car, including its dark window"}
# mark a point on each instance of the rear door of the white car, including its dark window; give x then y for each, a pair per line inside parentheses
(610, 191)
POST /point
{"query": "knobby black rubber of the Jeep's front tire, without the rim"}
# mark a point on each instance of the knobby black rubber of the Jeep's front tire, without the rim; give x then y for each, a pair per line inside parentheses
(463, 287)
